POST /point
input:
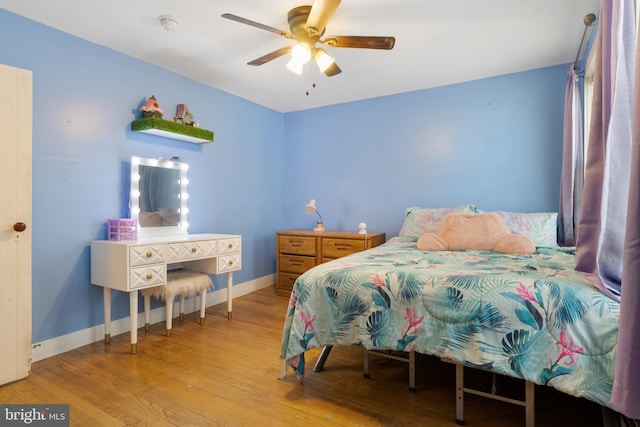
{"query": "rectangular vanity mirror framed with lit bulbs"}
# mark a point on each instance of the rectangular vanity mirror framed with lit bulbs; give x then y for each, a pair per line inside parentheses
(158, 197)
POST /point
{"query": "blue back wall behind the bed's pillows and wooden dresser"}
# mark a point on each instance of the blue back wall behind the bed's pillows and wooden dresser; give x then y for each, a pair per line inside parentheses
(496, 143)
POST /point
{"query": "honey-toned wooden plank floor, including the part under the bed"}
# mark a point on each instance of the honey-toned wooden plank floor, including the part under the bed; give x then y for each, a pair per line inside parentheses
(225, 374)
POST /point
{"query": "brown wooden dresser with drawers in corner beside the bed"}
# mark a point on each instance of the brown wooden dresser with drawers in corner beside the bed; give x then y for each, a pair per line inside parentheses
(299, 250)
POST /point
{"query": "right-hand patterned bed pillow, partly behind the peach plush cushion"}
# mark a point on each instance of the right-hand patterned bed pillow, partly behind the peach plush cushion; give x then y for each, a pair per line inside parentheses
(540, 227)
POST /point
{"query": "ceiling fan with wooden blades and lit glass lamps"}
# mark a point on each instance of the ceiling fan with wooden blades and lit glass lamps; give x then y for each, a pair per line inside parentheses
(307, 25)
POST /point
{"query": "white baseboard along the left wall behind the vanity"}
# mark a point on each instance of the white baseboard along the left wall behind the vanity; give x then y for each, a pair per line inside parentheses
(64, 343)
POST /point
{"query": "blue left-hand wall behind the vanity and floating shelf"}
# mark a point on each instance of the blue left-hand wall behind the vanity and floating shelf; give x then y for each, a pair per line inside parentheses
(85, 97)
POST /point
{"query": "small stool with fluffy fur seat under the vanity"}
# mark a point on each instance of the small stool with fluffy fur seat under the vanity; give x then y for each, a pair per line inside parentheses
(180, 283)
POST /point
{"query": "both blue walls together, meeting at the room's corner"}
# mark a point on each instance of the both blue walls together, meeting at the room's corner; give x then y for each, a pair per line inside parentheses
(494, 142)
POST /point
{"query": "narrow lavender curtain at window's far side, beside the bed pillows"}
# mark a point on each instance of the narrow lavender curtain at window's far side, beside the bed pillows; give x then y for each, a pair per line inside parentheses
(572, 178)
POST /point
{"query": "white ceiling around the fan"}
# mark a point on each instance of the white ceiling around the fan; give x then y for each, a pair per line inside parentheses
(438, 42)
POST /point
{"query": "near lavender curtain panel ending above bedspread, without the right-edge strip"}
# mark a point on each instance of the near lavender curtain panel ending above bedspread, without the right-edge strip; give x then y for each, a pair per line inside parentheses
(601, 229)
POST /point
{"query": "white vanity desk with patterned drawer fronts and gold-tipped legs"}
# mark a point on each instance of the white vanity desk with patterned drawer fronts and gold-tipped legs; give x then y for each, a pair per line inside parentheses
(129, 266)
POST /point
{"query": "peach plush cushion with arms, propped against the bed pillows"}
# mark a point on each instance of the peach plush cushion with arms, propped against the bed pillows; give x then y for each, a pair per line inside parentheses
(484, 232)
